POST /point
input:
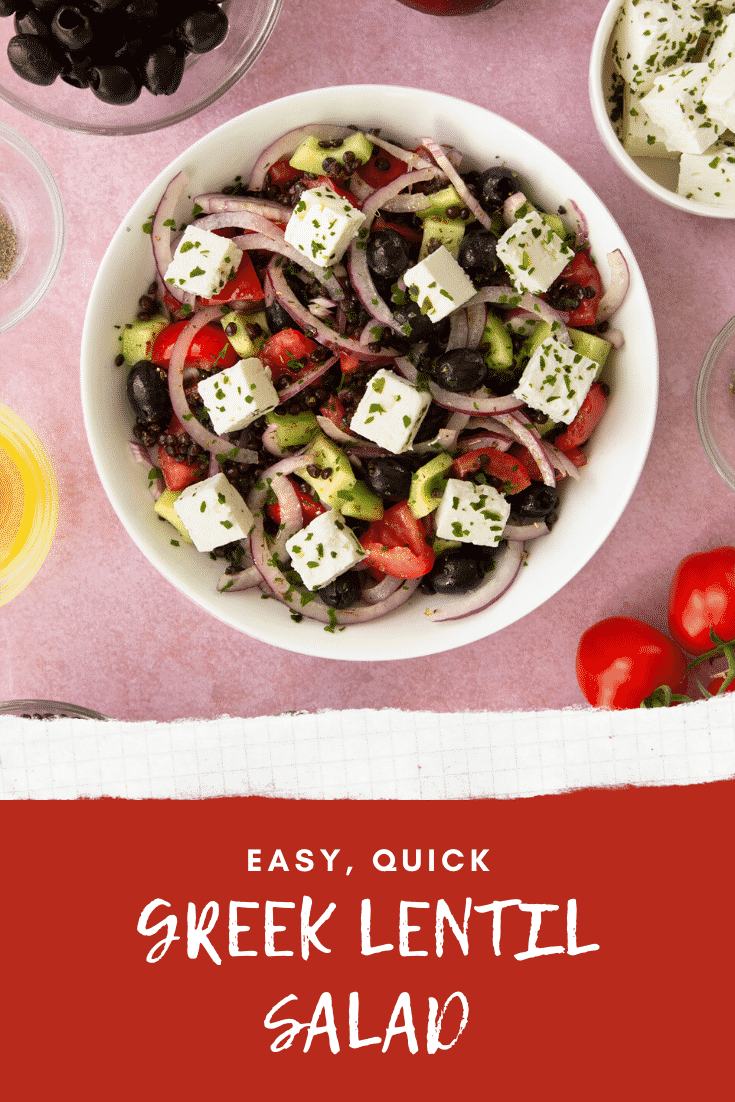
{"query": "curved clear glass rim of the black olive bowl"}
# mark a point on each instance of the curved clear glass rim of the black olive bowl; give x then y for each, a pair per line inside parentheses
(128, 129)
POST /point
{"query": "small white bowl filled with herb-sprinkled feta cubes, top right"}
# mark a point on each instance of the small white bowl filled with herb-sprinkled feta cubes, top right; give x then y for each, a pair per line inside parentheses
(663, 94)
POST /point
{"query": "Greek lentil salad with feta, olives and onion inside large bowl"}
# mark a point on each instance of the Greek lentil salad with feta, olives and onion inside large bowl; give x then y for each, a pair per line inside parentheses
(361, 374)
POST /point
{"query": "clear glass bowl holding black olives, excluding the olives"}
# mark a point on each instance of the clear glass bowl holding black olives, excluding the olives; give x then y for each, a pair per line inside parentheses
(207, 79)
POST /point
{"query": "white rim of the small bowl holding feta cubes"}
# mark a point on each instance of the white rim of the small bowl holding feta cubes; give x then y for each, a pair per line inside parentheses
(607, 131)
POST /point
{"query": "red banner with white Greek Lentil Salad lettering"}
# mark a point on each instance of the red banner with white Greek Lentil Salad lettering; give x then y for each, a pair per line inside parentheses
(572, 947)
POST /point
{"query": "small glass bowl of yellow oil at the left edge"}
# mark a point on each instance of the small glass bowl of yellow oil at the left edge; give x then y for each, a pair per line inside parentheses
(29, 505)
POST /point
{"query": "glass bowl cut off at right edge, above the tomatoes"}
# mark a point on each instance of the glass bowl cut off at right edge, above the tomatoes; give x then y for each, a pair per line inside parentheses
(716, 404)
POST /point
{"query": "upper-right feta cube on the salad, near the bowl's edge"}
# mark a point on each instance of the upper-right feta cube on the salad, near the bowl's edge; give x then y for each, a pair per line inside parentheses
(533, 255)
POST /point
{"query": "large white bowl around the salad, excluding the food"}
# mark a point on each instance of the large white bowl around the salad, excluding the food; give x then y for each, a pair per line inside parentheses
(591, 506)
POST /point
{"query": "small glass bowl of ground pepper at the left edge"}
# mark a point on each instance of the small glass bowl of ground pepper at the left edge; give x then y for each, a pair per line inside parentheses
(33, 229)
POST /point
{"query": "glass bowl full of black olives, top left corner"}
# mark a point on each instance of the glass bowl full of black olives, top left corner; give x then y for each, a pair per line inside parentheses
(126, 67)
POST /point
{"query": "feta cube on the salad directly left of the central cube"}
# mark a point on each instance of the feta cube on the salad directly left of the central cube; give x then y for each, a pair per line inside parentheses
(239, 395)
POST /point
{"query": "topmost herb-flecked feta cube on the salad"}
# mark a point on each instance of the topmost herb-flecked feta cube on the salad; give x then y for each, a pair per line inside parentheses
(322, 225)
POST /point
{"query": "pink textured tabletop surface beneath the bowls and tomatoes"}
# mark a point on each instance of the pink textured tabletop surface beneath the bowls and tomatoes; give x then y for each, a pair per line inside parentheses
(100, 628)
